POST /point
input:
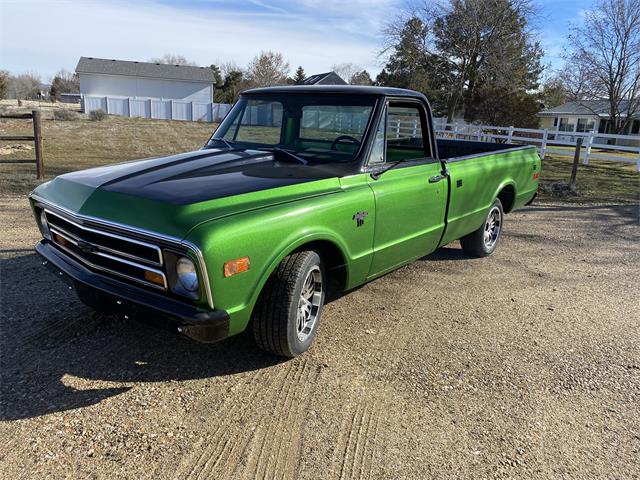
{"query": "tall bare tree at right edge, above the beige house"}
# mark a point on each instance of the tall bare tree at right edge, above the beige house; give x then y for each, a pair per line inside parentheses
(605, 56)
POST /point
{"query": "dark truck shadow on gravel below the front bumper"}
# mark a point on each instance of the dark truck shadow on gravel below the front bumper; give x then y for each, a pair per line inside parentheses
(57, 354)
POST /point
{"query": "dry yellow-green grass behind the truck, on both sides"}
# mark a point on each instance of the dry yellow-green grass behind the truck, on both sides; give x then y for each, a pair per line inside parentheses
(79, 144)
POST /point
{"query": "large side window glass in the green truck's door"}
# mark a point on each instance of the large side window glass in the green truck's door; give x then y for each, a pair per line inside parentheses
(407, 134)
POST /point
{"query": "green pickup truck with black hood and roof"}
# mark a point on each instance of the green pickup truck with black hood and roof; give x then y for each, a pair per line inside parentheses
(300, 193)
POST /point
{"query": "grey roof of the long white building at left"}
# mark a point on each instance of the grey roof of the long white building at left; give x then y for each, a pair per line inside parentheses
(144, 69)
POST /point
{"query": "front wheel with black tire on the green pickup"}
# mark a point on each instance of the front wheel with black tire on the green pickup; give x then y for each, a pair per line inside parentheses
(275, 317)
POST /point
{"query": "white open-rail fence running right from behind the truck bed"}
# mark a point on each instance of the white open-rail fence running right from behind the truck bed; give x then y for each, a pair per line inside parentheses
(594, 144)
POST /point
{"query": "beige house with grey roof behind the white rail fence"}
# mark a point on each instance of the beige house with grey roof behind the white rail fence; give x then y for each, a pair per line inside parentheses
(586, 116)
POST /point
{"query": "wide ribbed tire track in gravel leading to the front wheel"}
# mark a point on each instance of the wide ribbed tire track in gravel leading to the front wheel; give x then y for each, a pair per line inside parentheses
(250, 453)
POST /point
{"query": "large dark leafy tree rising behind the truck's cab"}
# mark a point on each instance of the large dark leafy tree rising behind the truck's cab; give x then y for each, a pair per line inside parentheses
(461, 53)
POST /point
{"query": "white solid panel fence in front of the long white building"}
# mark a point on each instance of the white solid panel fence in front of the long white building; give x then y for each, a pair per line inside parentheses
(157, 108)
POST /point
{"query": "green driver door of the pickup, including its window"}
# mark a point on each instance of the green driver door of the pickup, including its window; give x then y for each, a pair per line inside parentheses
(411, 197)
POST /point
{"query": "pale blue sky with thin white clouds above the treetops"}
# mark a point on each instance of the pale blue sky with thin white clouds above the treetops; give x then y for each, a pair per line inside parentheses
(45, 36)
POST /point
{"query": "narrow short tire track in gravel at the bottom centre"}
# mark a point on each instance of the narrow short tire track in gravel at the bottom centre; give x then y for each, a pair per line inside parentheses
(355, 451)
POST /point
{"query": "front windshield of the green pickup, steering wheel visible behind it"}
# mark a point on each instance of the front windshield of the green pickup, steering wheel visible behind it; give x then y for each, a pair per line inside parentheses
(317, 127)
